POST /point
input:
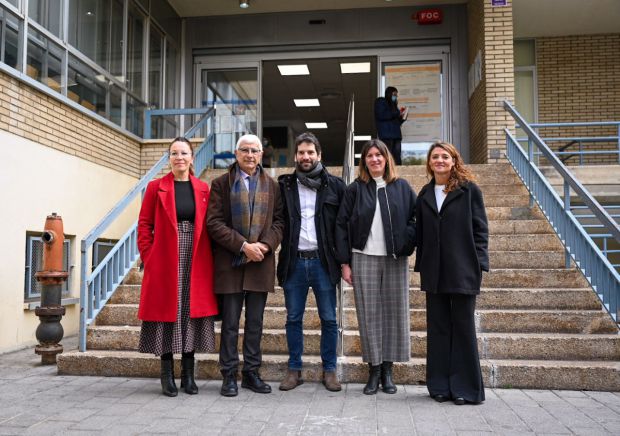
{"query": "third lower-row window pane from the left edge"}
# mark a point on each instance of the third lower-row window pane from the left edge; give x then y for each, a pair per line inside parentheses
(86, 86)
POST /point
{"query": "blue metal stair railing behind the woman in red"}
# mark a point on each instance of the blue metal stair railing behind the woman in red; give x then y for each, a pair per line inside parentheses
(98, 286)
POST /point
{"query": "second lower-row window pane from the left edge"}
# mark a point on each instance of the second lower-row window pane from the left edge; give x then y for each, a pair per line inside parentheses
(44, 59)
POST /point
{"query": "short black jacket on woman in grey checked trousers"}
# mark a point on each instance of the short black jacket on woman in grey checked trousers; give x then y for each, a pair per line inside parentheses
(357, 212)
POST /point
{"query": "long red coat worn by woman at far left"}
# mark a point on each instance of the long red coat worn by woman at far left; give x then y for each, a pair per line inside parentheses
(159, 250)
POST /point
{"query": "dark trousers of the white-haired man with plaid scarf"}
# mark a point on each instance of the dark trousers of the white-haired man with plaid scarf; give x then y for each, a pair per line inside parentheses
(230, 308)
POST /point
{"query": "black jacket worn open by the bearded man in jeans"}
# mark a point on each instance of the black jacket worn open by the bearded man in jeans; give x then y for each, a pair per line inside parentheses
(328, 199)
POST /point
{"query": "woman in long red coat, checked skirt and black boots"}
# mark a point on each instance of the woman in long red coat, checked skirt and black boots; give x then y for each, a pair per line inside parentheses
(177, 303)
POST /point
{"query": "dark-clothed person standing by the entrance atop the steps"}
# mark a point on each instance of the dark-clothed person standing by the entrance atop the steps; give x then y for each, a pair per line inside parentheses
(388, 119)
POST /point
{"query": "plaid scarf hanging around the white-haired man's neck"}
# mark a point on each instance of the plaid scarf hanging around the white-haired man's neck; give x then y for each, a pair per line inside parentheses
(248, 208)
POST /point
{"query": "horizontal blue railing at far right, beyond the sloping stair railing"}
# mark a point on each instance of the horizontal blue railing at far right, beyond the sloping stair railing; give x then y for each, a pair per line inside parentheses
(566, 152)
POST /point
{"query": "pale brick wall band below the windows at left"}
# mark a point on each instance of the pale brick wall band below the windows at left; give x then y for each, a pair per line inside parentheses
(29, 113)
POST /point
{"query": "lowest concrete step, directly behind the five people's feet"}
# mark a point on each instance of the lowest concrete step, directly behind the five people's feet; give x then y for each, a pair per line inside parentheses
(523, 374)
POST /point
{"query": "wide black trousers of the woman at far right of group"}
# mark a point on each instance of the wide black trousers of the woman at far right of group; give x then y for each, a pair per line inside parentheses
(452, 360)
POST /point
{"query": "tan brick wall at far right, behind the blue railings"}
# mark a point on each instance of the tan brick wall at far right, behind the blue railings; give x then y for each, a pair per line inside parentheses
(579, 81)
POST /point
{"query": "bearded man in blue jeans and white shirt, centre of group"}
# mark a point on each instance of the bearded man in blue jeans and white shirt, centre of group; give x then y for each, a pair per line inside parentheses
(311, 198)
